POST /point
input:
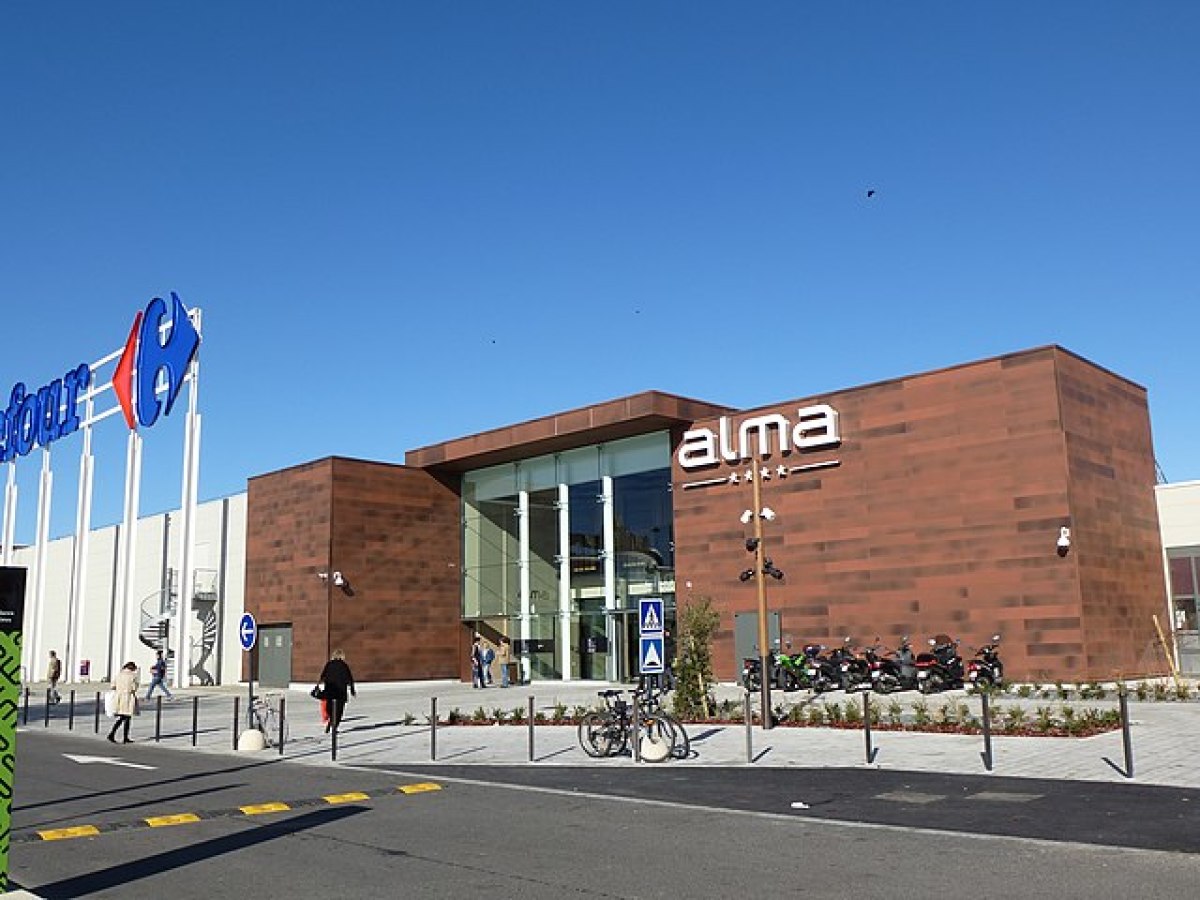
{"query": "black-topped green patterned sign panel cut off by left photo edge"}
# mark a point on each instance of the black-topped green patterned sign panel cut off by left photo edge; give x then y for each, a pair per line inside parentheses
(13, 609)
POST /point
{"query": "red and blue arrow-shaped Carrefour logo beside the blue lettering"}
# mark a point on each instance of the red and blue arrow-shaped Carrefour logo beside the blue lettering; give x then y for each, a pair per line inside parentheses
(151, 351)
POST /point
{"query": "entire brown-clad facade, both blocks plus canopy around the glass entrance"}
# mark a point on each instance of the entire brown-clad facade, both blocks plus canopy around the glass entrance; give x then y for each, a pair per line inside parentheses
(939, 512)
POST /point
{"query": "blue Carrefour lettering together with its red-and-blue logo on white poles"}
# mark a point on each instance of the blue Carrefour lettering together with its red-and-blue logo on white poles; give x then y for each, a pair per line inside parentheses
(154, 363)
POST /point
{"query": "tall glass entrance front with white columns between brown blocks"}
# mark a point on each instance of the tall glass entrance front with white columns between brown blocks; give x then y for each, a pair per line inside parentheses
(559, 550)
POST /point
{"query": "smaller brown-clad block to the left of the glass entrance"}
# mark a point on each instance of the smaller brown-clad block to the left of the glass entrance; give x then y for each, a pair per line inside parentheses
(393, 532)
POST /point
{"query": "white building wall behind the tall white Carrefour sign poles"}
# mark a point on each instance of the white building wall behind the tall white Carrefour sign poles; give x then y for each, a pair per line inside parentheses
(220, 567)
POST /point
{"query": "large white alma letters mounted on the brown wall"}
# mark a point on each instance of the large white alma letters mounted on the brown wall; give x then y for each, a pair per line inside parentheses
(817, 428)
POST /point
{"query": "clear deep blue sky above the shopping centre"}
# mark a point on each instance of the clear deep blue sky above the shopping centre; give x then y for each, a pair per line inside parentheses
(407, 223)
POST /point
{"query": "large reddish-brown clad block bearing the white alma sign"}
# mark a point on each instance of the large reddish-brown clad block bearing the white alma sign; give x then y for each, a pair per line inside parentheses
(943, 515)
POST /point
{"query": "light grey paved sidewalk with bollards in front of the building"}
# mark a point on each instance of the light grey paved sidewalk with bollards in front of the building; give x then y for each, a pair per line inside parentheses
(1165, 735)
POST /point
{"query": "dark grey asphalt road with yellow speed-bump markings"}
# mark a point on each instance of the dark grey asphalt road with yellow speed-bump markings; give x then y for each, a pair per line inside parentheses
(602, 832)
